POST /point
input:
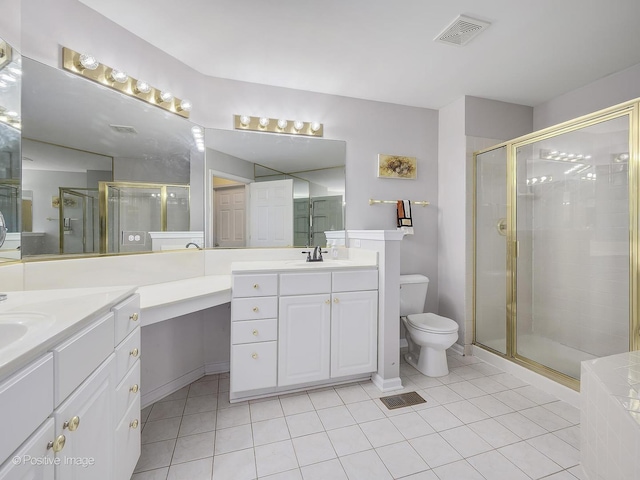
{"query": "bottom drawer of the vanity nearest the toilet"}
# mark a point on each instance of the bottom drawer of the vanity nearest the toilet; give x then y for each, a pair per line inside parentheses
(253, 366)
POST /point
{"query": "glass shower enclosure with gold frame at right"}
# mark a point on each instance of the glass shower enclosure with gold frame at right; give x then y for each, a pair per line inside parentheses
(556, 244)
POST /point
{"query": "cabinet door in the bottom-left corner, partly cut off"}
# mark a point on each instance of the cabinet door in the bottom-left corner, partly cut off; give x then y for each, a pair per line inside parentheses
(34, 459)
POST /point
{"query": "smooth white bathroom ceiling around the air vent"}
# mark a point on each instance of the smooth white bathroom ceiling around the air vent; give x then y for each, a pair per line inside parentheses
(383, 50)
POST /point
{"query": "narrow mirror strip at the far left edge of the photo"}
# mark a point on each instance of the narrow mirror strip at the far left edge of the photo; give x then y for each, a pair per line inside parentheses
(10, 84)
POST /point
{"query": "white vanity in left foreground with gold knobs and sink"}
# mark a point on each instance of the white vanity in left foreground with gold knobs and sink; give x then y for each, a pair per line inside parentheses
(69, 386)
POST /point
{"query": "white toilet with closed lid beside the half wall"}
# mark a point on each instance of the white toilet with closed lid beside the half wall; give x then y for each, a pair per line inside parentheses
(428, 335)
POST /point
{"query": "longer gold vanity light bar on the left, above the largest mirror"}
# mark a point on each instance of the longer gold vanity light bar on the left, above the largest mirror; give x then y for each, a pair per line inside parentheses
(87, 66)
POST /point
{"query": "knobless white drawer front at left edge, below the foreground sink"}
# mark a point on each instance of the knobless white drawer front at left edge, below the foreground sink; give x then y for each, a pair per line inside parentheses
(27, 400)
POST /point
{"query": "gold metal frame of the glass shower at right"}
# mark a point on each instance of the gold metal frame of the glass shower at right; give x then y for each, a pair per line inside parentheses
(631, 109)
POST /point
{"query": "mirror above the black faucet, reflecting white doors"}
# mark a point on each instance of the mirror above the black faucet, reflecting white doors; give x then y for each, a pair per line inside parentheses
(271, 190)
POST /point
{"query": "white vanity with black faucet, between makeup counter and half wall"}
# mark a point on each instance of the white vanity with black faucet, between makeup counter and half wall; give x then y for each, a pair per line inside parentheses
(297, 324)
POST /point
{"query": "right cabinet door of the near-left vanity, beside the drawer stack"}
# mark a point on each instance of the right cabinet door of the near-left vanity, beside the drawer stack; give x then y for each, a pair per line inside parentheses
(88, 450)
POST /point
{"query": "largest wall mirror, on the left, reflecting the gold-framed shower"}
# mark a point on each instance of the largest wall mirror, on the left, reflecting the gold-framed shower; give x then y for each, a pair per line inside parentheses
(104, 172)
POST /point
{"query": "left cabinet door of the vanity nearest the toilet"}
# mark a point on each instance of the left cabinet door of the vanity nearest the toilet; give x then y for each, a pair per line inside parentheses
(304, 339)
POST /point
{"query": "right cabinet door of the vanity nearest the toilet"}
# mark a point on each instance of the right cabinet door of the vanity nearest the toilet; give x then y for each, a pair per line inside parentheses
(354, 333)
